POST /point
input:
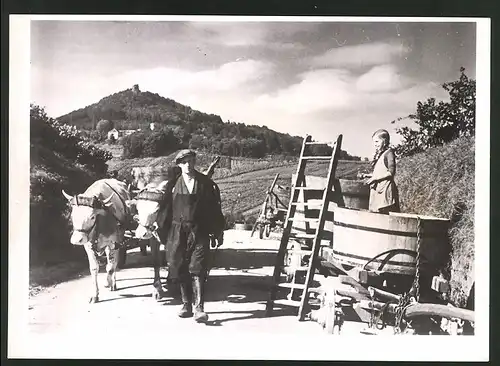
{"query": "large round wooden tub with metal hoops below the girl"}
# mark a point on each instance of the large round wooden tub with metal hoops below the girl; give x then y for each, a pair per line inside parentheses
(359, 236)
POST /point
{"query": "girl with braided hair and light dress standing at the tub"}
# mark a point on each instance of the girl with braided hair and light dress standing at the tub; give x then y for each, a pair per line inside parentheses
(384, 197)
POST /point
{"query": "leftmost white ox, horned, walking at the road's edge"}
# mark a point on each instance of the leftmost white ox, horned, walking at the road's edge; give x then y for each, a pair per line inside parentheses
(97, 216)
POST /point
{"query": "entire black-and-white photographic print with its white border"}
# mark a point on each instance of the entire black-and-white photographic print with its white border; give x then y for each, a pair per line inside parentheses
(215, 187)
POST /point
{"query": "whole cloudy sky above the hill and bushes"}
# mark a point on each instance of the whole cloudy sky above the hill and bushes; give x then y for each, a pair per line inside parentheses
(317, 78)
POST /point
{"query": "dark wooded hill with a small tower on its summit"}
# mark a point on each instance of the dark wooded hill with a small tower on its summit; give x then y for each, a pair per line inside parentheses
(180, 126)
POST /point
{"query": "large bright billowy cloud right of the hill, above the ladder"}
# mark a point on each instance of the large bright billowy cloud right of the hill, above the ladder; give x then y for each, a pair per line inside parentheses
(341, 90)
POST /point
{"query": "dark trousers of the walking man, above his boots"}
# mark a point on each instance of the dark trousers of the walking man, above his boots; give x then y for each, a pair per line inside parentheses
(187, 252)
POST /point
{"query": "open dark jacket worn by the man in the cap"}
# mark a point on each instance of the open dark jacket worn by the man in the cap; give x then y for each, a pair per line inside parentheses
(209, 218)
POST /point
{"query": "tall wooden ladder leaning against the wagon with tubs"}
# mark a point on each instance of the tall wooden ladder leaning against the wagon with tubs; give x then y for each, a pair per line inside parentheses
(298, 186)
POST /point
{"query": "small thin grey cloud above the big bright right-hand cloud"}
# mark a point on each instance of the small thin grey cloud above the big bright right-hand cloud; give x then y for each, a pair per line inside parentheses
(360, 55)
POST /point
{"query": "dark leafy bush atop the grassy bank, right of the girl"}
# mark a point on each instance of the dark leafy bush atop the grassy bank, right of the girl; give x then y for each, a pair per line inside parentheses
(441, 122)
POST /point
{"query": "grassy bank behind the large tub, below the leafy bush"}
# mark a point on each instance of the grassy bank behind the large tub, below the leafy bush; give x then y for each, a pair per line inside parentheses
(440, 182)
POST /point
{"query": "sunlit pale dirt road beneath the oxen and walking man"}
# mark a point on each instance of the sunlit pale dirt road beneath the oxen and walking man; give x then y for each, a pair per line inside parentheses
(235, 301)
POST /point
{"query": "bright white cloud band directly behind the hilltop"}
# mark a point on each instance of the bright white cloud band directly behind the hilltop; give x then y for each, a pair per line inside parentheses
(63, 91)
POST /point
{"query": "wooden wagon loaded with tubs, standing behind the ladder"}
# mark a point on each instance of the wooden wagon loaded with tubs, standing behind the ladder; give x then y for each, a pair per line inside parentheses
(385, 269)
